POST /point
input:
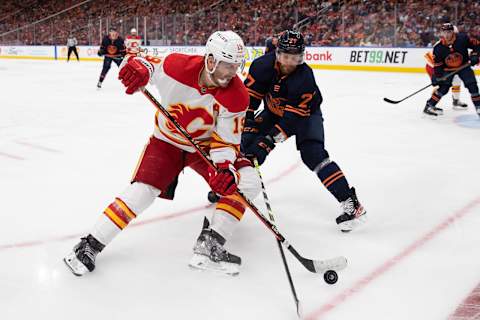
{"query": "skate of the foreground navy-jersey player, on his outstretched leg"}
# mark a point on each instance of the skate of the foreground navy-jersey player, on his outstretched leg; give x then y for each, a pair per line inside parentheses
(353, 213)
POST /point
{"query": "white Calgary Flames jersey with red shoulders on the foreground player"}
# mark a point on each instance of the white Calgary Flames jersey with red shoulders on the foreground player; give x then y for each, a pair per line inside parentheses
(213, 116)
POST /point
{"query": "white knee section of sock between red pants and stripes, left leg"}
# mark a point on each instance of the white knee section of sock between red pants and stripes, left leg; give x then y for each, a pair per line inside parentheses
(139, 196)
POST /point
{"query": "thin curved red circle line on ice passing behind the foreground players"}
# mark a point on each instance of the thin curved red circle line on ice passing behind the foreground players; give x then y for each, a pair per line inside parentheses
(168, 216)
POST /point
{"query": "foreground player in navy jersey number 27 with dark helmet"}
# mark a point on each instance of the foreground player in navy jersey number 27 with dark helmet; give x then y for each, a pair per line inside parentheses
(287, 87)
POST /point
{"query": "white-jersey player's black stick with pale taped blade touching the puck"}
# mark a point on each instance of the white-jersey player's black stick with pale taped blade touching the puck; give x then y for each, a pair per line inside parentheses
(327, 267)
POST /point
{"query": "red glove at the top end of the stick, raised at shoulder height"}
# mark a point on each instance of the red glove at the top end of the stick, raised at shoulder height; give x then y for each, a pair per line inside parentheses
(135, 74)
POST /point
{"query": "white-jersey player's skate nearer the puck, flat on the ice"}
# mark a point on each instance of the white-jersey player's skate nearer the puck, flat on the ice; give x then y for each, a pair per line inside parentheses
(209, 253)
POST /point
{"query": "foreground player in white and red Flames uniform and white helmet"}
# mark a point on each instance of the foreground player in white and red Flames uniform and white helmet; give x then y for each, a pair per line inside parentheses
(209, 100)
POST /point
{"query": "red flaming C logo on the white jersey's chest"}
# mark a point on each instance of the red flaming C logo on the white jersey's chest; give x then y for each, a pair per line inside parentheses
(195, 120)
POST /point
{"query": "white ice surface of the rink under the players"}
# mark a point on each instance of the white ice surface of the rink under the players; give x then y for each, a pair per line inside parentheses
(66, 150)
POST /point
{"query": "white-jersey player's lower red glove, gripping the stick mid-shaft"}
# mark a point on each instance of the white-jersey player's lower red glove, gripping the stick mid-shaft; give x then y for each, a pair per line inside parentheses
(223, 180)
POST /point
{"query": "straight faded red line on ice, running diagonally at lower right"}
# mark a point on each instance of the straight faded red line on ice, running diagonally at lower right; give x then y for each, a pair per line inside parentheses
(389, 264)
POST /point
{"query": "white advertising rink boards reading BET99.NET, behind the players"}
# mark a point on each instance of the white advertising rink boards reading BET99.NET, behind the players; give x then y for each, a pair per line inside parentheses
(326, 58)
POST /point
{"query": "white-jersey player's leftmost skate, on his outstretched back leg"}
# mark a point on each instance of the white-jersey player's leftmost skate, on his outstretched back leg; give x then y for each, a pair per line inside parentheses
(82, 259)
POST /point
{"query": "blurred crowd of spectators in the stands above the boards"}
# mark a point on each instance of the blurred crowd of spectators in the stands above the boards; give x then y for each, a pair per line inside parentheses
(169, 22)
